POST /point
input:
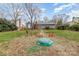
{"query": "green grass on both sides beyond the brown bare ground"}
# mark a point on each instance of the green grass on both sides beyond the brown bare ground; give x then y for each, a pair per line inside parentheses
(71, 35)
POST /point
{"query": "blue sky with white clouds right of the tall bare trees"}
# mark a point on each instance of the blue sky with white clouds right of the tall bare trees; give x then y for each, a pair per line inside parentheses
(50, 9)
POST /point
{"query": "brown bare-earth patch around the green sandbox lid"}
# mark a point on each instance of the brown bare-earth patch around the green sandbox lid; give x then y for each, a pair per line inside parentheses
(26, 46)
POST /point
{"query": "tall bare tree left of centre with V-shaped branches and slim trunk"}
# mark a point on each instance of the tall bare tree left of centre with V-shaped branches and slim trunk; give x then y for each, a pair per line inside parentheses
(32, 12)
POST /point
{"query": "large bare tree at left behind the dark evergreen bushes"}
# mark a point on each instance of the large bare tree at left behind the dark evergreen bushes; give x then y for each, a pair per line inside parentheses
(13, 12)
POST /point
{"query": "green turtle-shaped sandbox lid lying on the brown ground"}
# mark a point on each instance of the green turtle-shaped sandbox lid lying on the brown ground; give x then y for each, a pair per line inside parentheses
(44, 42)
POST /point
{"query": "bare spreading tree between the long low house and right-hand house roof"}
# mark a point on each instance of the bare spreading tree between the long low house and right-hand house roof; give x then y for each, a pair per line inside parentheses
(60, 18)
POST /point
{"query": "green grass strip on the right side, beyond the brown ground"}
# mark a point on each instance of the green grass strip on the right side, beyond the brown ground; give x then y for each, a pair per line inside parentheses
(71, 35)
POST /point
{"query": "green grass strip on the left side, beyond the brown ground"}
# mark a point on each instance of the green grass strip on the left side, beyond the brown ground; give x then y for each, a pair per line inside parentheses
(6, 36)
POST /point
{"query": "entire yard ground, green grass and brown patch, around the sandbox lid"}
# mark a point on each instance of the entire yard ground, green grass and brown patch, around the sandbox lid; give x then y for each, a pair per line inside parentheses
(18, 43)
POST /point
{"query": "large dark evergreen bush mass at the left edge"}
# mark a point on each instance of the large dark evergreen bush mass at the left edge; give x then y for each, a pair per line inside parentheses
(6, 25)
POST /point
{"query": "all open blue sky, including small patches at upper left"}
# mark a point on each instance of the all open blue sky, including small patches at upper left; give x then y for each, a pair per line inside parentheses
(50, 9)
